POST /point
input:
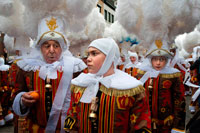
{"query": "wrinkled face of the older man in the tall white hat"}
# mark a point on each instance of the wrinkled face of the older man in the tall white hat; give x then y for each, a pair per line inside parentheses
(51, 51)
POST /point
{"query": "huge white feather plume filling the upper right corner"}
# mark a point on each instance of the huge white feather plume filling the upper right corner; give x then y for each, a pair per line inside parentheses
(157, 19)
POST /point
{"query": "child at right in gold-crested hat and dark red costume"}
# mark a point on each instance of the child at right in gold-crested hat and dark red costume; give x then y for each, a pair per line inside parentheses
(165, 90)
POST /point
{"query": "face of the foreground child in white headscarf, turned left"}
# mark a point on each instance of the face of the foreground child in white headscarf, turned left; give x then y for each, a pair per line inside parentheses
(95, 60)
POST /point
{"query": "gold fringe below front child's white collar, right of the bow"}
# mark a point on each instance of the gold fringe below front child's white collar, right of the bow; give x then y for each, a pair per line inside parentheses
(129, 92)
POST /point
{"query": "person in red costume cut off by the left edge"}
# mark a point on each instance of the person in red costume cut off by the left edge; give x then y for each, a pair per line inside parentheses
(6, 114)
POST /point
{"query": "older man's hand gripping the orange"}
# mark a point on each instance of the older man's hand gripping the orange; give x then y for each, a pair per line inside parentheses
(27, 99)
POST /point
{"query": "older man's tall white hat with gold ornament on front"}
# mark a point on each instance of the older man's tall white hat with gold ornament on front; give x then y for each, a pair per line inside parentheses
(52, 28)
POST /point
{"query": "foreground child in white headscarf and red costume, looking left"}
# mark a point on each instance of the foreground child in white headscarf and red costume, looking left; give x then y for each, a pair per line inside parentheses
(107, 99)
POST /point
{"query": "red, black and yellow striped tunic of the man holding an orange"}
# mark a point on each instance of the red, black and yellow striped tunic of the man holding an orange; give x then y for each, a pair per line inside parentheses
(37, 118)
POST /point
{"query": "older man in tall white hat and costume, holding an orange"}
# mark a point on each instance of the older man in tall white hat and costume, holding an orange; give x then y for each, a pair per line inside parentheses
(43, 80)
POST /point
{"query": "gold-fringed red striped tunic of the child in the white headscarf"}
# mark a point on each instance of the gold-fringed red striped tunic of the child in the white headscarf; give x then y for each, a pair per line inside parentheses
(118, 110)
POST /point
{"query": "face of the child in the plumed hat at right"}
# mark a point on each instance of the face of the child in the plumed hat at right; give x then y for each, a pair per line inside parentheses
(158, 62)
